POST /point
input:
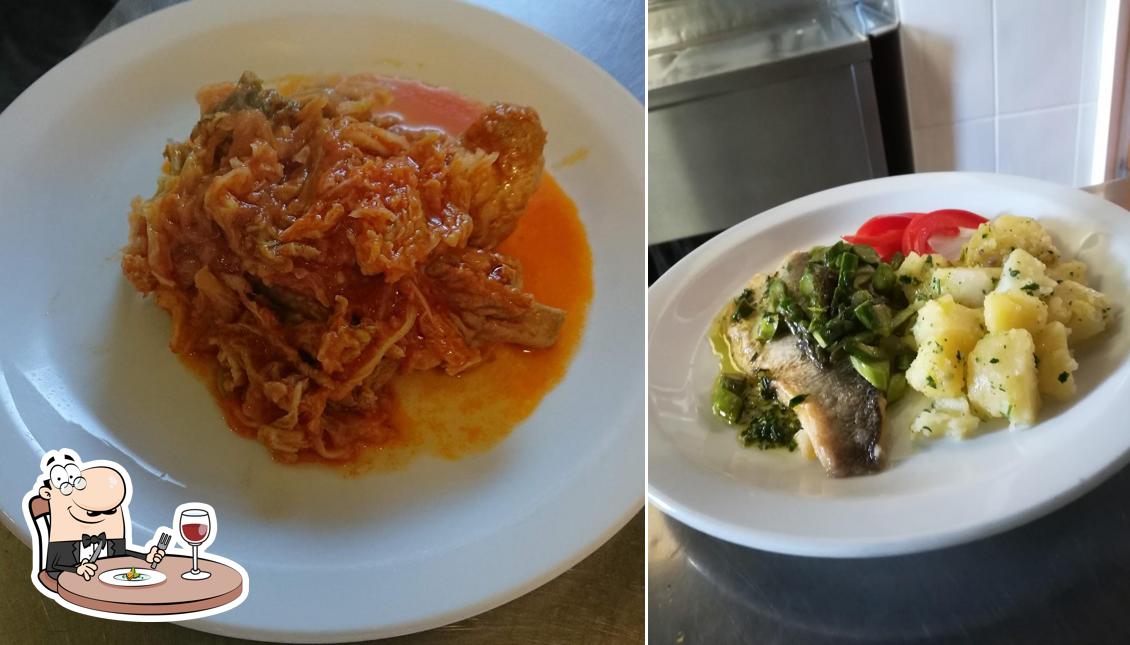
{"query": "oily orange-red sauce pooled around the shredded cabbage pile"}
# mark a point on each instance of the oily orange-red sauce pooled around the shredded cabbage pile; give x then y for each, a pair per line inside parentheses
(456, 416)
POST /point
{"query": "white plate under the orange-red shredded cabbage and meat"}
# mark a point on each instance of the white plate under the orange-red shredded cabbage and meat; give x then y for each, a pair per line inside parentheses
(85, 362)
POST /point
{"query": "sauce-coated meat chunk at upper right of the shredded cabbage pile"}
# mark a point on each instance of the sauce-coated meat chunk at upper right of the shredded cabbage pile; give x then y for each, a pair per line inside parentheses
(516, 135)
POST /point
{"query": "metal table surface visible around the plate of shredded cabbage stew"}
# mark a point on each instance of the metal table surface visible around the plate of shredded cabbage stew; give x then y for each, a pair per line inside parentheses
(601, 600)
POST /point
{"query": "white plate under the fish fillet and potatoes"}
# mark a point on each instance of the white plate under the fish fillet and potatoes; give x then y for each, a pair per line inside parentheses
(941, 494)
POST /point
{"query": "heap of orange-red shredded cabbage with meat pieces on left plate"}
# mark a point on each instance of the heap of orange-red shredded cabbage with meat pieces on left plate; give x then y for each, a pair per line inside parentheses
(310, 248)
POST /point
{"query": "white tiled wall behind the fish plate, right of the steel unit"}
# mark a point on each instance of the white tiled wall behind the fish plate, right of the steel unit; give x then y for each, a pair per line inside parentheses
(1004, 86)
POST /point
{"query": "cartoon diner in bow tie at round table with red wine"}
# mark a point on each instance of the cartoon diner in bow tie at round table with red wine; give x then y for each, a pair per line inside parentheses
(85, 560)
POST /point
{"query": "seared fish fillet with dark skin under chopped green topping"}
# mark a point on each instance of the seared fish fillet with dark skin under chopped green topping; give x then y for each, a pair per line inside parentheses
(842, 415)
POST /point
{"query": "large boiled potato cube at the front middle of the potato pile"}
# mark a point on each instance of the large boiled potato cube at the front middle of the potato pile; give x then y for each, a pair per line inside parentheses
(1002, 378)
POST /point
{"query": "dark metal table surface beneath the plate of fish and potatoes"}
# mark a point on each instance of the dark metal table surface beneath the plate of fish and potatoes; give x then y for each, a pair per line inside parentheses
(1062, 579)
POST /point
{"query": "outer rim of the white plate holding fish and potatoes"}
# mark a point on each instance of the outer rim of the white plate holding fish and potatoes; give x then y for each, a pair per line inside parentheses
(668, 286)
